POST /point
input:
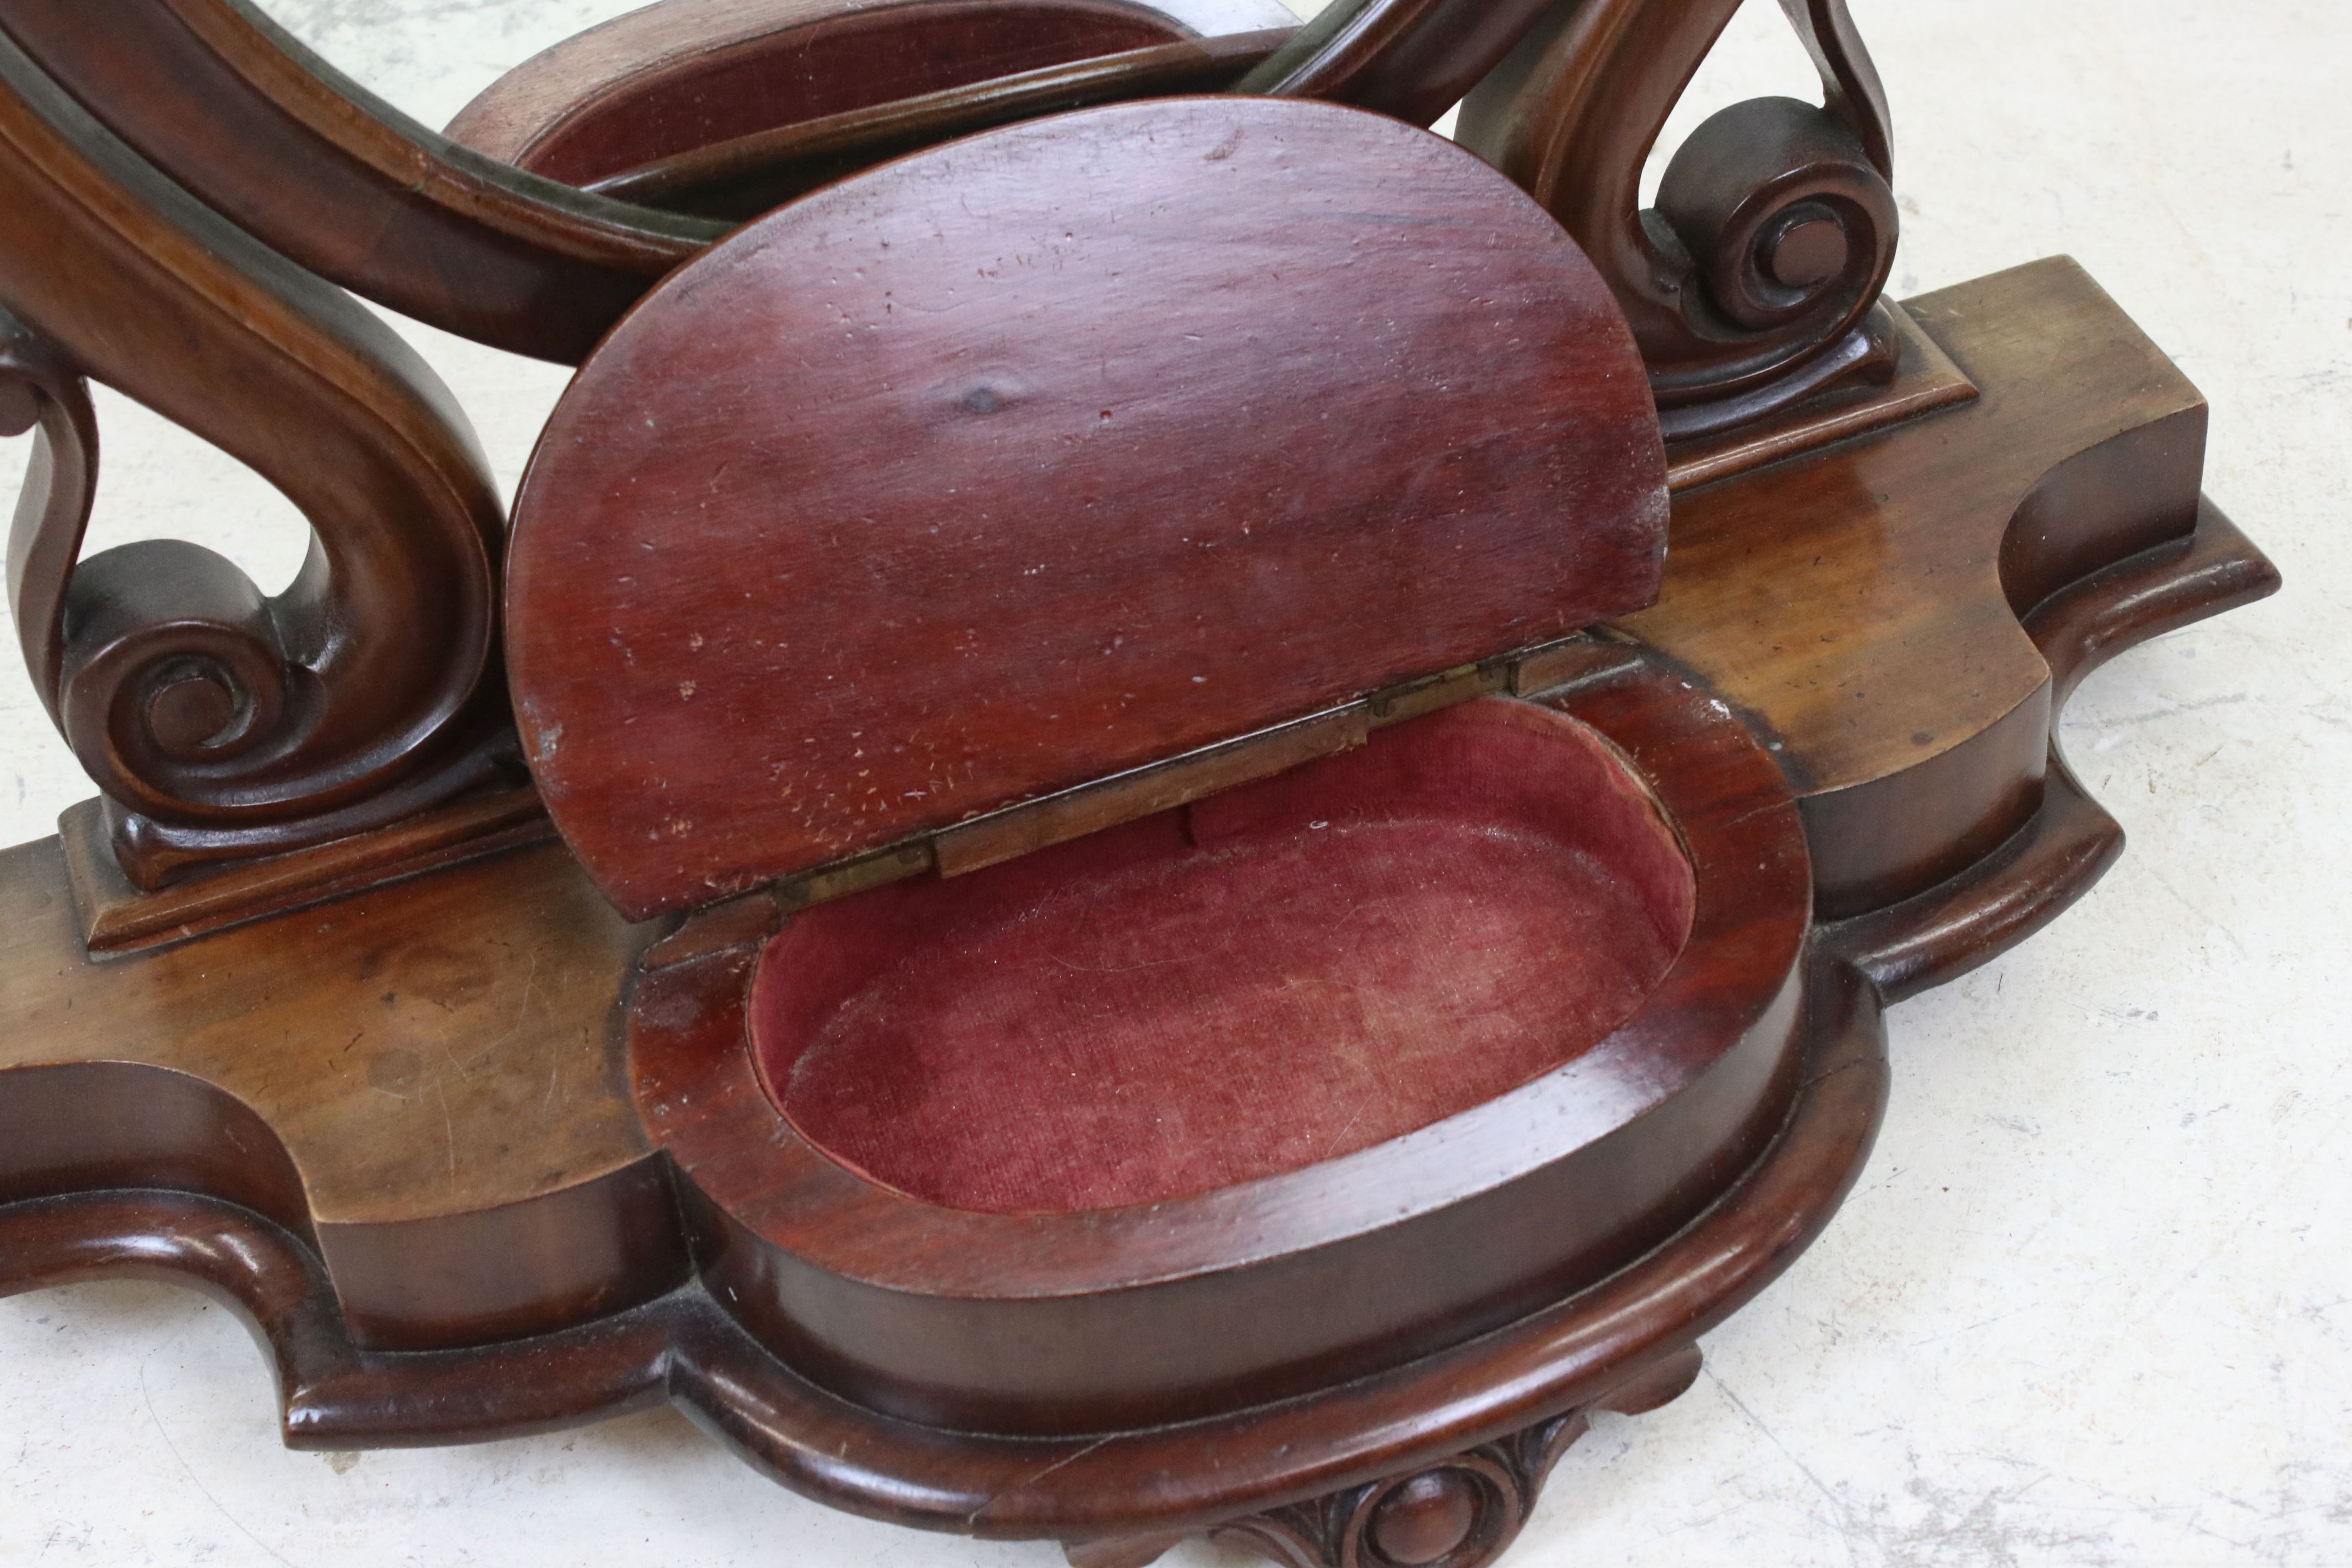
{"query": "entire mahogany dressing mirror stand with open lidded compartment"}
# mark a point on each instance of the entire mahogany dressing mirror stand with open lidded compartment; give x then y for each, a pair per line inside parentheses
(1170, 812)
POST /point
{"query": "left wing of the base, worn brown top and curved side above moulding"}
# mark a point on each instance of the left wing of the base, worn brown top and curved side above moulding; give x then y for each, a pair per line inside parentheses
(417, 1057)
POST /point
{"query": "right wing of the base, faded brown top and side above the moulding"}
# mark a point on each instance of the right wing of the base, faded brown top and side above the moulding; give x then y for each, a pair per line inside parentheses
(1864, 605)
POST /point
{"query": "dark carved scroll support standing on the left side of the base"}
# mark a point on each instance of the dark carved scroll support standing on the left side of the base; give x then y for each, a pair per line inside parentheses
(220, 721)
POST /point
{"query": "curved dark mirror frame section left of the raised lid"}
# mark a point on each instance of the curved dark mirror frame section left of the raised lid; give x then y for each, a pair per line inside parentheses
(300, 156)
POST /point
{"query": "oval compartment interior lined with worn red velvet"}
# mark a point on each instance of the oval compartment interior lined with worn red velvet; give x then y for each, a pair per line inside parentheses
(1267, 979)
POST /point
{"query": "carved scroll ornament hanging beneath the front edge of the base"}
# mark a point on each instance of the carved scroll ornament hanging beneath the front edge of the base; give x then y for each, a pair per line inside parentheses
(1459, 1513)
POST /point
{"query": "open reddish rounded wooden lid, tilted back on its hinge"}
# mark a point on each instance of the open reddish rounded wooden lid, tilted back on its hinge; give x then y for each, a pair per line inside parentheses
(1161, 431)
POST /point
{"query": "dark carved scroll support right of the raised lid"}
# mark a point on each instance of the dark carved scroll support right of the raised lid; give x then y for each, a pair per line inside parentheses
(1756, 276)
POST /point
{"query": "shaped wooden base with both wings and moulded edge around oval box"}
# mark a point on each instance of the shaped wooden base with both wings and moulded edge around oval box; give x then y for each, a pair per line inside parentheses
(396, 1130)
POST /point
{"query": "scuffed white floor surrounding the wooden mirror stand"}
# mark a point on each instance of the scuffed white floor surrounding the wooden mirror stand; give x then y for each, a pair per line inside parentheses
(2094, 1296)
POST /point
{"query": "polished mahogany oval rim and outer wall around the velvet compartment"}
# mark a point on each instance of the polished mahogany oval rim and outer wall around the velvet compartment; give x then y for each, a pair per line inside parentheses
(1163, 1311)
